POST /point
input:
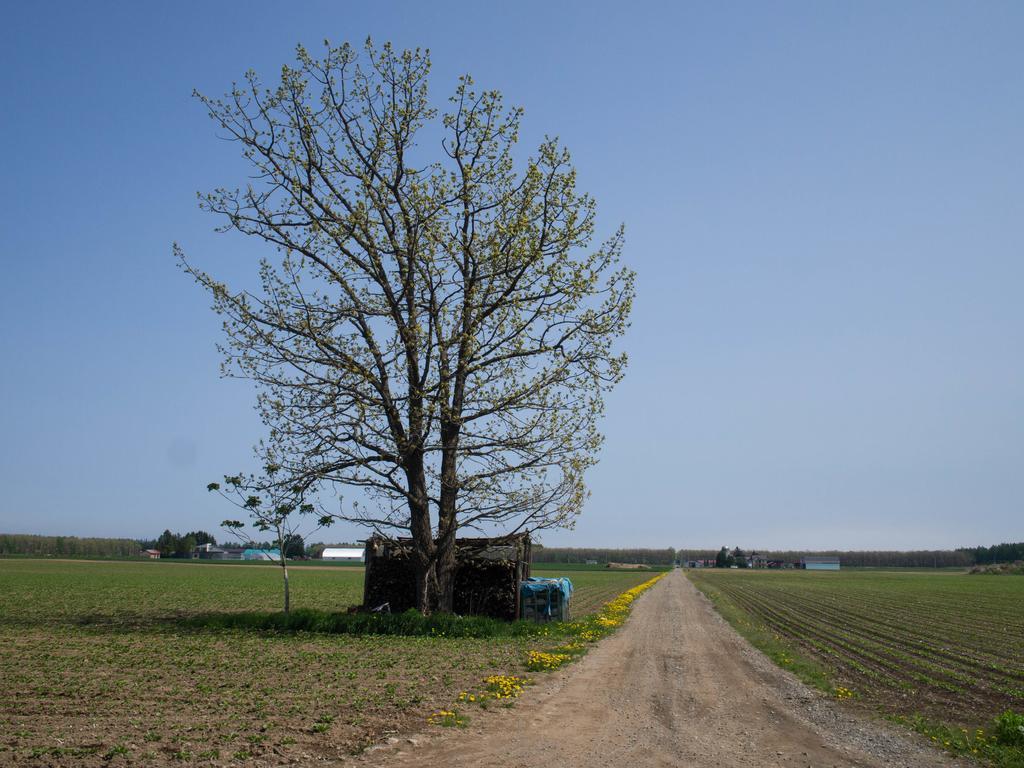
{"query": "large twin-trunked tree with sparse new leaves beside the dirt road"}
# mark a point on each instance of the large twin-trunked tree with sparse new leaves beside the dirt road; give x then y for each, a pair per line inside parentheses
(434, 325)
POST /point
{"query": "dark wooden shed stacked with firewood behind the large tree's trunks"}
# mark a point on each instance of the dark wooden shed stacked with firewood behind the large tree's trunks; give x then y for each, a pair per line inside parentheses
(487, 581)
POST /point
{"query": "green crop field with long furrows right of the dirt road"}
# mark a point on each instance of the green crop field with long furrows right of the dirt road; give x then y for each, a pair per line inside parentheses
(927, 648)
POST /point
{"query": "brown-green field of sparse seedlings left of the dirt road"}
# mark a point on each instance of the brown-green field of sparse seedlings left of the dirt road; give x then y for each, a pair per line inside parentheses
(100, 664)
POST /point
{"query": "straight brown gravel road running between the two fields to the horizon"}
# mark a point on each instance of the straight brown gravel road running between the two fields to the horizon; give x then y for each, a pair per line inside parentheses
(676, 687)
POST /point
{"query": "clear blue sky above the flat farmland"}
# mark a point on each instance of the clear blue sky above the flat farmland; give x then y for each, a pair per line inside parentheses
(825, 203)
